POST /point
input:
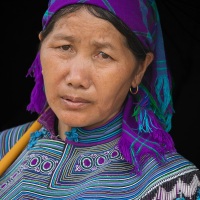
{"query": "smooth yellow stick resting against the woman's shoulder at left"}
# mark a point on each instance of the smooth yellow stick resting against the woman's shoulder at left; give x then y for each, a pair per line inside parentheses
(15, 151)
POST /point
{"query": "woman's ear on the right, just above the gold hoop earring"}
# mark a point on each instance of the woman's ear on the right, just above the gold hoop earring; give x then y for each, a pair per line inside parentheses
(141, 69)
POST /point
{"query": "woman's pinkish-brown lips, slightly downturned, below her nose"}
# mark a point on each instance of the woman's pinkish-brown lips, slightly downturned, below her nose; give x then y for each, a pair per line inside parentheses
(72, 102)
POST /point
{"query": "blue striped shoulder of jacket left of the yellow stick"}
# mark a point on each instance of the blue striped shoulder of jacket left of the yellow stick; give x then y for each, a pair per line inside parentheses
(10, 136)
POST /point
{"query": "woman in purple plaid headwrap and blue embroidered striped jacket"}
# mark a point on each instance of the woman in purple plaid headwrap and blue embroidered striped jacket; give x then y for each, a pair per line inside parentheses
(103, 94)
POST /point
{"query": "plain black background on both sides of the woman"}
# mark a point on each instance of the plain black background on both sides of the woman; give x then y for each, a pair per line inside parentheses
(180, 21)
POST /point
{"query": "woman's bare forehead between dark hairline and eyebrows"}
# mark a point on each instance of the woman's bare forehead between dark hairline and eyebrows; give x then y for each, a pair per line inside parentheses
(83, 22)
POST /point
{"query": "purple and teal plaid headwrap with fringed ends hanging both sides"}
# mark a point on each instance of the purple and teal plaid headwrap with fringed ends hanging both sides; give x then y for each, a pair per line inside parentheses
(146, 122)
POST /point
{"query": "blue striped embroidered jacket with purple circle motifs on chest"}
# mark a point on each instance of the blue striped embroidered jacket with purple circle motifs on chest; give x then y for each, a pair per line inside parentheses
(49, 168)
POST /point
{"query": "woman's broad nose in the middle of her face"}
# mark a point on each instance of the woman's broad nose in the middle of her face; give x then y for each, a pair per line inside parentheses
(79, 73)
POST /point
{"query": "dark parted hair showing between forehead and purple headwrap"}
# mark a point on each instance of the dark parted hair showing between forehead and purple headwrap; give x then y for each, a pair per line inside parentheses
(133, 43)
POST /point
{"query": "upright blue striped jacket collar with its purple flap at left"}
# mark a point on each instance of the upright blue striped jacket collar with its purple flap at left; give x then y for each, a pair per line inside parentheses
(85, 137)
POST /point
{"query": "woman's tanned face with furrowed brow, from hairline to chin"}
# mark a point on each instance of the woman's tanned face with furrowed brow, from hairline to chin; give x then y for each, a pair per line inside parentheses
(87, 70)
